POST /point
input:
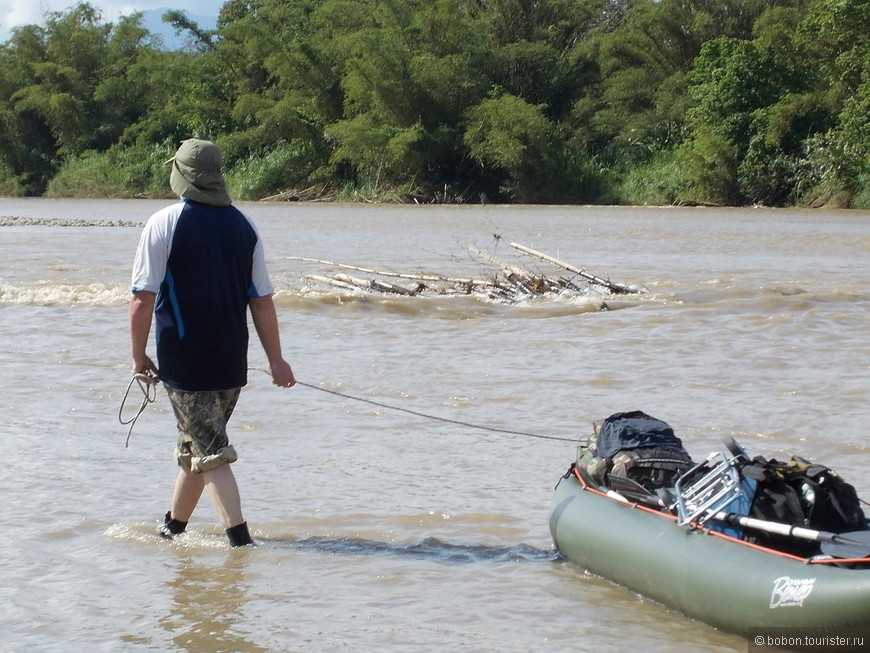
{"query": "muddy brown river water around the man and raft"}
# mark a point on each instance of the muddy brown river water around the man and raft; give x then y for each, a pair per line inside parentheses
(386, 530)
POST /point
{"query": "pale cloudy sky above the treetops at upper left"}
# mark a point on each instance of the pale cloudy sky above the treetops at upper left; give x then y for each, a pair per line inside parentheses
(14, 13)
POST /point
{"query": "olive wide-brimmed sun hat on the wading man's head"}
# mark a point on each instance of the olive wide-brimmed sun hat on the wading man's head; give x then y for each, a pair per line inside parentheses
(196, 173)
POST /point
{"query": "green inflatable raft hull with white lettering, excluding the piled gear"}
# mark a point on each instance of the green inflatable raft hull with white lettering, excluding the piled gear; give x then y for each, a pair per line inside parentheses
(728, 583)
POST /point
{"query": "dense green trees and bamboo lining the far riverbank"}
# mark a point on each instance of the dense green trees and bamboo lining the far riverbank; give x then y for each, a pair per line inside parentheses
(725, 102)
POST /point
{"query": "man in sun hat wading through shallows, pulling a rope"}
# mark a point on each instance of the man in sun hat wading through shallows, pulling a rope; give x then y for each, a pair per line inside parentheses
(198, 268)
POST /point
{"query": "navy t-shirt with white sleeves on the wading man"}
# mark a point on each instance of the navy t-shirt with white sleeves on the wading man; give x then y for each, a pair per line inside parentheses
(206, 259)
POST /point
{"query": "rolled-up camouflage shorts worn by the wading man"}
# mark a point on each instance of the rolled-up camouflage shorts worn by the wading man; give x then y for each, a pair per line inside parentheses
(202, 428)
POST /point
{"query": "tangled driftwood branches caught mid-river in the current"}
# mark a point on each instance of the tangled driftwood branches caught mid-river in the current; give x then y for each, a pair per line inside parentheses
(507, 282)
